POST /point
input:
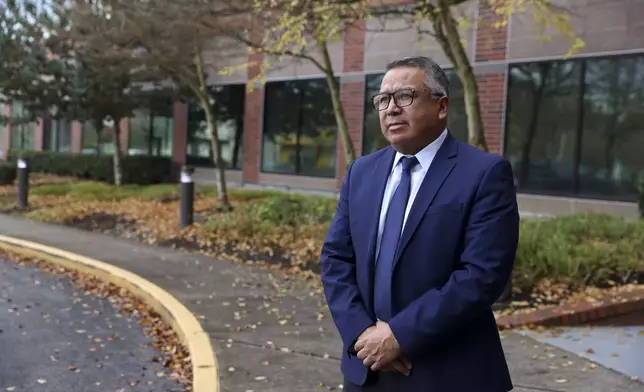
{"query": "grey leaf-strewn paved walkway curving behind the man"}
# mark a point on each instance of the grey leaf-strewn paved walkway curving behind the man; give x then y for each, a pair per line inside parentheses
(275, 335)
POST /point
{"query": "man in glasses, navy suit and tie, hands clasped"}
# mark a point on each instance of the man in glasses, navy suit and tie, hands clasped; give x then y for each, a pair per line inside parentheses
(422, 244)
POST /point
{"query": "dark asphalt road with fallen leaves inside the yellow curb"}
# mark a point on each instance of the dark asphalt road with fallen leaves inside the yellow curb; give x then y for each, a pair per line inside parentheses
(55, 338)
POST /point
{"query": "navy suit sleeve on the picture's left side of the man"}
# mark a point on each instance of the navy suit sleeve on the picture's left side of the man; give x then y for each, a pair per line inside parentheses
(339, 273)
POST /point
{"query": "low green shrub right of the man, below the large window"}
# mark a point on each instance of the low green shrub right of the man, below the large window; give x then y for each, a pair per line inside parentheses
(578, 250)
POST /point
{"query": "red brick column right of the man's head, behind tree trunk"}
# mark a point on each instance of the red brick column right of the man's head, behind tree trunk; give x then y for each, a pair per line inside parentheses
(491, 74)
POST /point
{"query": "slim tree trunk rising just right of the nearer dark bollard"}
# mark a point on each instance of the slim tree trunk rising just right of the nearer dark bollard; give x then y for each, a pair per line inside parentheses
(204, 101)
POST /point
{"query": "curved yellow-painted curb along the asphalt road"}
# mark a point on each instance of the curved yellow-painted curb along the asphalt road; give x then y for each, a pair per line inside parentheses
(204, 363)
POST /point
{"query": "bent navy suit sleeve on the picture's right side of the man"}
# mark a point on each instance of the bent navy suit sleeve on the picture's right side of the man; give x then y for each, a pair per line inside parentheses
(491, 240)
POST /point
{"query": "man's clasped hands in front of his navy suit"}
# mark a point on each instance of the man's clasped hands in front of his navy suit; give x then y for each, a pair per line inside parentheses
(378, 348)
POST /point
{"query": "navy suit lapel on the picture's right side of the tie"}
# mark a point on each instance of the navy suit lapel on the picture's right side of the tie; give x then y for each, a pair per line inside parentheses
(440, 168)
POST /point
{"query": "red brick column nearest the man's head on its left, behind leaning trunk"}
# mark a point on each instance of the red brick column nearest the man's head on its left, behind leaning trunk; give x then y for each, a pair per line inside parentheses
(352, 88)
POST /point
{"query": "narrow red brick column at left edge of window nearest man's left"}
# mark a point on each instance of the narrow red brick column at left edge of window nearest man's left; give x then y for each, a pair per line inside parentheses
(253, 115)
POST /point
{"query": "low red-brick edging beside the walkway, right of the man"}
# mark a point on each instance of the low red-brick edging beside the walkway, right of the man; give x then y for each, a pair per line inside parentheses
(576, 313)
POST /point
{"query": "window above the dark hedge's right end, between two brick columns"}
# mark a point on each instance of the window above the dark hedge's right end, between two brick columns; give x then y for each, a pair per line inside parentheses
(151, 128)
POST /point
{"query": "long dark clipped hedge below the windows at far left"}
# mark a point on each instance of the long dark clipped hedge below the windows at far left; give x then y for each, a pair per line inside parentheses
(137, 169)
